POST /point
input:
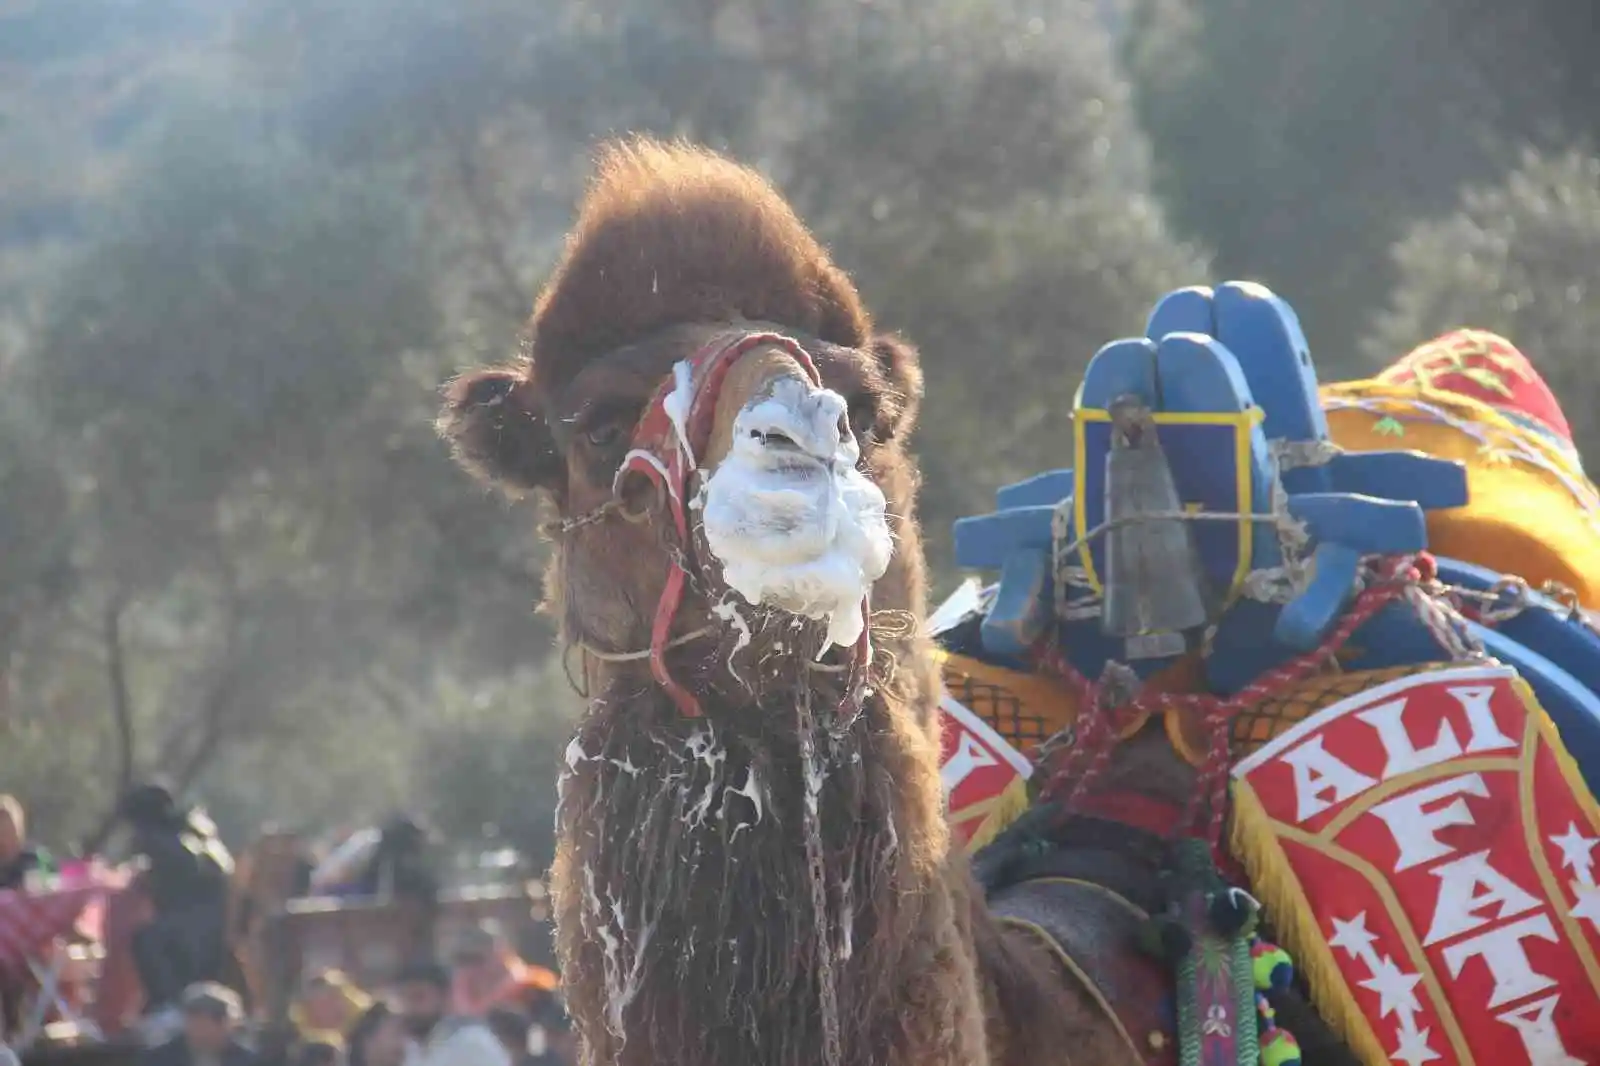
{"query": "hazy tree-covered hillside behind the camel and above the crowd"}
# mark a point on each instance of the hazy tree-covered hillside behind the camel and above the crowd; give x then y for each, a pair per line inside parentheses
(244, 241)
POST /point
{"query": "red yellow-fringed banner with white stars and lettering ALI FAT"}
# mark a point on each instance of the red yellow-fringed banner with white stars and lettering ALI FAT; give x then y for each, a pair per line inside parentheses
(1428, 852)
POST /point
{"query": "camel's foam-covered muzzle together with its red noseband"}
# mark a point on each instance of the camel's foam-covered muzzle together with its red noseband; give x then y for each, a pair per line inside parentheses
(748, 425)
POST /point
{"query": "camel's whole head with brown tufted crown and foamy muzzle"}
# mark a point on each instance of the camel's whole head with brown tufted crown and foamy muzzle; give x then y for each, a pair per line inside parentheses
(721, 433)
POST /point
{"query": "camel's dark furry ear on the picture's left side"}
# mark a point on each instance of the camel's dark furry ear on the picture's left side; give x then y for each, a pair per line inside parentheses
(497, 435)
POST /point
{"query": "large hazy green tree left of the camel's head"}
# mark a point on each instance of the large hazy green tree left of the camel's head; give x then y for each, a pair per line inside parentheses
(263, 508)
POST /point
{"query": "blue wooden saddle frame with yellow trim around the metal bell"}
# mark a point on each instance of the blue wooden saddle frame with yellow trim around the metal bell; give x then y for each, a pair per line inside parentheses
(1204, 369)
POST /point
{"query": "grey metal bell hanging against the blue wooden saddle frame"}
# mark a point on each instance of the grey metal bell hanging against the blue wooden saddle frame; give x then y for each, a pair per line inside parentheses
(1154, 590)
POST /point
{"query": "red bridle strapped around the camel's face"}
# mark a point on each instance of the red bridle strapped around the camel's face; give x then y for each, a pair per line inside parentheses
(673, 431)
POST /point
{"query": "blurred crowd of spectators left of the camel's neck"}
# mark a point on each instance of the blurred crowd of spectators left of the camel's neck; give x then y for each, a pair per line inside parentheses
(484, 1008)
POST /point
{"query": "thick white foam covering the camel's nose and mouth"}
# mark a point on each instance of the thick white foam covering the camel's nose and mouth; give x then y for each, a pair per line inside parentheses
(798, 527)
